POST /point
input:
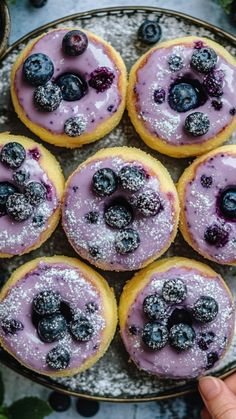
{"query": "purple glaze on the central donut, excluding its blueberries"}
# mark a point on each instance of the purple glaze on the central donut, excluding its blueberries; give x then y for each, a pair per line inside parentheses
(154, 231)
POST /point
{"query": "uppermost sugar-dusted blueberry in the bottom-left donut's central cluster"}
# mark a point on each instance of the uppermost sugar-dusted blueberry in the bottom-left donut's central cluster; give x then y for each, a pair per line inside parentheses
(47, 302)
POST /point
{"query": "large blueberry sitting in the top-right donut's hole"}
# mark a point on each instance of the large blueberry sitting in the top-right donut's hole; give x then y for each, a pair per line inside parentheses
(183, 97)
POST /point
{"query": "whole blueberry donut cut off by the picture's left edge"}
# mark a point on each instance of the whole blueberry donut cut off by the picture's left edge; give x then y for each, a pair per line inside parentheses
(31, 190)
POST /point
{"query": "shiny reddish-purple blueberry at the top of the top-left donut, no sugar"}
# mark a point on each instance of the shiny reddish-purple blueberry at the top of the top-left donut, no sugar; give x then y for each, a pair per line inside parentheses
(74, 43)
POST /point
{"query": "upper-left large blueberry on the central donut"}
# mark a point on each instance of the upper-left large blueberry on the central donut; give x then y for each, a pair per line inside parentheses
(104, 182)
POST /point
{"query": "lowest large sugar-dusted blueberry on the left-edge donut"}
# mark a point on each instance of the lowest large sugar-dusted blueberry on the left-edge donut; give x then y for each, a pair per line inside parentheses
(18, 207)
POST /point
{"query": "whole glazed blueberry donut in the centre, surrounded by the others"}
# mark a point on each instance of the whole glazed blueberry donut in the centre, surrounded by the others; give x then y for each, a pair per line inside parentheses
(120, 210)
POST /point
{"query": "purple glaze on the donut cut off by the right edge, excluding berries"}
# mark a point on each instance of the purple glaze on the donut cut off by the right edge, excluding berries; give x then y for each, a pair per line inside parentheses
(201, 205)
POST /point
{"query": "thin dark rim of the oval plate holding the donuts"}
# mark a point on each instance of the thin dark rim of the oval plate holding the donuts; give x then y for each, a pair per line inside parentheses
(83, 15)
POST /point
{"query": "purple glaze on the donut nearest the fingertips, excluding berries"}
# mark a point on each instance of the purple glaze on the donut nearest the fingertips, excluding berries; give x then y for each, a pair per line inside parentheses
(167, 362)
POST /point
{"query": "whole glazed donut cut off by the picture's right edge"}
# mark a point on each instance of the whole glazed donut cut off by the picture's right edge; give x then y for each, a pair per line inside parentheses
(207, 192)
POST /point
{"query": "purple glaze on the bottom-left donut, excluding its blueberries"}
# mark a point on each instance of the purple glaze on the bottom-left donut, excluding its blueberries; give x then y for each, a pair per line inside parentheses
(75, 289)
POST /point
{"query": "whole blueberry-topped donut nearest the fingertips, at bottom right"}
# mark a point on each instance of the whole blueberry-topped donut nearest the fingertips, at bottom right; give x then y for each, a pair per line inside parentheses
(176, 318)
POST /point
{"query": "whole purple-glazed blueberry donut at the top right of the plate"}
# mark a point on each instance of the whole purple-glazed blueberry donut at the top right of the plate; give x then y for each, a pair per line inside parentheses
(181, 96)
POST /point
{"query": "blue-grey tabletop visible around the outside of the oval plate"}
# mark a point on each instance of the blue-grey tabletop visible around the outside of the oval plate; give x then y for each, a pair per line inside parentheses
(24, 19)
